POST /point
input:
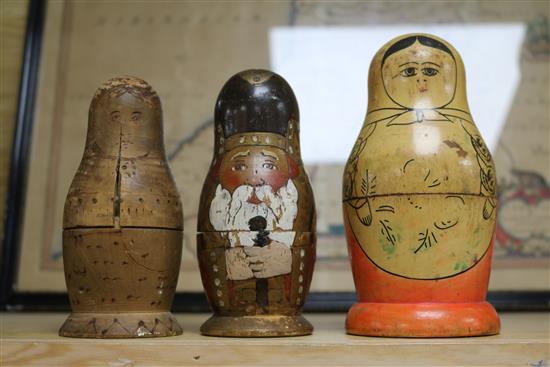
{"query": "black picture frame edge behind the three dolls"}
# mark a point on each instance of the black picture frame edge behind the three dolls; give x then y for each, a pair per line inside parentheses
(13, 300)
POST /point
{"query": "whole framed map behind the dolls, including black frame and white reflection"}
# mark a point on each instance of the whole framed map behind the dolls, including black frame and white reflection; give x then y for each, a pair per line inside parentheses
(186, 50)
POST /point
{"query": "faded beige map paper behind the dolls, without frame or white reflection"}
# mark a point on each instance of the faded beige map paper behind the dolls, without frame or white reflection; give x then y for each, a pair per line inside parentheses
(186, 50)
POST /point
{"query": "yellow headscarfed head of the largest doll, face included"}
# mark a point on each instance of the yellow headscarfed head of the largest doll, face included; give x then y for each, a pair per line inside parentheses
(417, 72)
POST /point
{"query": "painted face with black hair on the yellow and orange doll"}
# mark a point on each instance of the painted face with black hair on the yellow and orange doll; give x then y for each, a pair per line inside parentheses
(420, 77)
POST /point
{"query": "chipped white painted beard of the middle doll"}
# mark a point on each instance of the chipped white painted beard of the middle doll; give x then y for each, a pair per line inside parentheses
(232, 212)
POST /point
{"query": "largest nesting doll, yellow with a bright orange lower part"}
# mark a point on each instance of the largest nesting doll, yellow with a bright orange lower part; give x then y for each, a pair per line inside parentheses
(419, 199)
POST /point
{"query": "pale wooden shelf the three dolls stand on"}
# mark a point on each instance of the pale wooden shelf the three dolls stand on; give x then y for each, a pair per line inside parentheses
(30, 339)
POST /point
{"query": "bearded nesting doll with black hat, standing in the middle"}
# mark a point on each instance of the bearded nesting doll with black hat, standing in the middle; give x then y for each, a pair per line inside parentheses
(256, 222)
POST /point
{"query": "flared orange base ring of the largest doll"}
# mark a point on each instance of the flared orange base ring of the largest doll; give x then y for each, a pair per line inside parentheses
(422, 320)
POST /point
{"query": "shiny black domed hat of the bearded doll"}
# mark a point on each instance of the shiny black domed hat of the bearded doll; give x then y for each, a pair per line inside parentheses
(256, 101)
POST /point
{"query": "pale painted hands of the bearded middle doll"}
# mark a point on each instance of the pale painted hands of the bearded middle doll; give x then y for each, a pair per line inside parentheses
(269, 261)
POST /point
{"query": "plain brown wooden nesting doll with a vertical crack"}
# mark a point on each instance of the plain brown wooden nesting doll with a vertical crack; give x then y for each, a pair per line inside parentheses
(123, 223)
